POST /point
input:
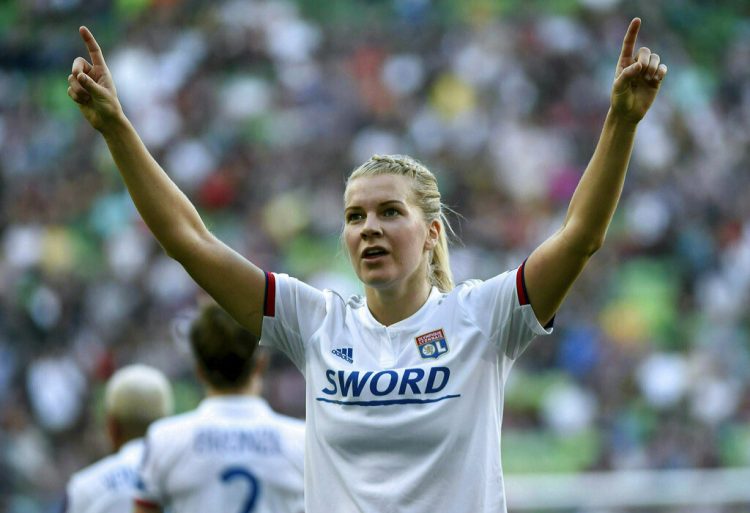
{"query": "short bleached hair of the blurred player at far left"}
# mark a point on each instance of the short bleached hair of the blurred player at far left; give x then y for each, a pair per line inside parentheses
(138, 395)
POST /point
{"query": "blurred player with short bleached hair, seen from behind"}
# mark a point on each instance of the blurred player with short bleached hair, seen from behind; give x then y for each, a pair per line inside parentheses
(135, 396)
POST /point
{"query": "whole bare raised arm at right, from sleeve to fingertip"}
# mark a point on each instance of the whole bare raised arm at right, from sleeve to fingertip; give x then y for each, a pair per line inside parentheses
(553, 267)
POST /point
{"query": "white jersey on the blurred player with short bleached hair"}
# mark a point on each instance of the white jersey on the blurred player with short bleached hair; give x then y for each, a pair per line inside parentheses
(107, 486)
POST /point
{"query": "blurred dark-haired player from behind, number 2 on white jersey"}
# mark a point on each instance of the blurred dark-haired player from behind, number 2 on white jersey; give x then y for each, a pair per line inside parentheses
(233, 453)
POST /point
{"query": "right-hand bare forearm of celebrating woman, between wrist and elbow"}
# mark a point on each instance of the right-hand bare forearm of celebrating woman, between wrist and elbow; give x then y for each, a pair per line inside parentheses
(598, 192)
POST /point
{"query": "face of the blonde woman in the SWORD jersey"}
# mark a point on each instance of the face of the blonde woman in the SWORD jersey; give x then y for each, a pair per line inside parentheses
(386, 234)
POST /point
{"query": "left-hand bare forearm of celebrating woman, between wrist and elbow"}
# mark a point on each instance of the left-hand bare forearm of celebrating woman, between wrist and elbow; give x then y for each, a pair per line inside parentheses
(169, 214)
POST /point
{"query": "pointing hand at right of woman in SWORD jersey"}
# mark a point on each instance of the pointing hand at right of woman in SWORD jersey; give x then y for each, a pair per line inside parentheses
(637, 78)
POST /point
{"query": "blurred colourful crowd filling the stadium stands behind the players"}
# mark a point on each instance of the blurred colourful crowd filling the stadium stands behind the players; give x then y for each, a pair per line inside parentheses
(649, 365)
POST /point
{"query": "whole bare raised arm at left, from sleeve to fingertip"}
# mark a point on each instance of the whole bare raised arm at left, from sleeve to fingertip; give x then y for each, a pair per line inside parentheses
(234, 282)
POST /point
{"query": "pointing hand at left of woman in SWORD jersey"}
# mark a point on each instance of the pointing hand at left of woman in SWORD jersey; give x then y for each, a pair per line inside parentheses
(91, 86)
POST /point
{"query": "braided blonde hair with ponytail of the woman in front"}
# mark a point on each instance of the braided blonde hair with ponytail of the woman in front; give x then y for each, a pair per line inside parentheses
(426, 196)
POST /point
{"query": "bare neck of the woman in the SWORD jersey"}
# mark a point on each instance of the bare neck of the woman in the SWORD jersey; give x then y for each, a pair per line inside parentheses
(392, 305)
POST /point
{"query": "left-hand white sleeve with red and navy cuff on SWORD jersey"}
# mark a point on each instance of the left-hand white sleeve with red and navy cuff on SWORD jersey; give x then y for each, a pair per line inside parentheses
(293, 312)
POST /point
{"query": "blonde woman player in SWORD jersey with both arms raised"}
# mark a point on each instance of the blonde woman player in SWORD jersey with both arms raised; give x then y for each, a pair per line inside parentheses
(404, 385)
